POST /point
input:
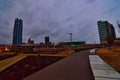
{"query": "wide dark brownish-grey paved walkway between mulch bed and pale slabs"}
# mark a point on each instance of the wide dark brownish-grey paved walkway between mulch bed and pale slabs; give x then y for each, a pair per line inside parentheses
(74, 67)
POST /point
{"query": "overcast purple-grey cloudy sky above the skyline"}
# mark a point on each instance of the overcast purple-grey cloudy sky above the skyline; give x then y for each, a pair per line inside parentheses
(57, 18)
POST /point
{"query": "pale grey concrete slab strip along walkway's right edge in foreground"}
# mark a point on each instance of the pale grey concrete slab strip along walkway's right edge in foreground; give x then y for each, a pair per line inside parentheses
(101, 70)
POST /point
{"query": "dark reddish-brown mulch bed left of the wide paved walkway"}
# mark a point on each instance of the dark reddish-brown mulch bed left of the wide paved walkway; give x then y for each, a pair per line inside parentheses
(27, 66)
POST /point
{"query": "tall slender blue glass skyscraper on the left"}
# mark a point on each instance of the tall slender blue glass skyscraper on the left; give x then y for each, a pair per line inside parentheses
(17, 32)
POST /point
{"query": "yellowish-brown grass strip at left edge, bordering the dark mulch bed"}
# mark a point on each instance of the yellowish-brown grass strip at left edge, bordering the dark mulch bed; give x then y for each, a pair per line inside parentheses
(10, 61)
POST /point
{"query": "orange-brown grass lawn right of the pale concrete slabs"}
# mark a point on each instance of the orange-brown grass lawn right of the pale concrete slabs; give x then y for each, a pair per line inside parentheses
(111, 56)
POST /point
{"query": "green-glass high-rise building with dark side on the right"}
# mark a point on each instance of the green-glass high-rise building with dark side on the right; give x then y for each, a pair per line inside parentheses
(106, 32)
